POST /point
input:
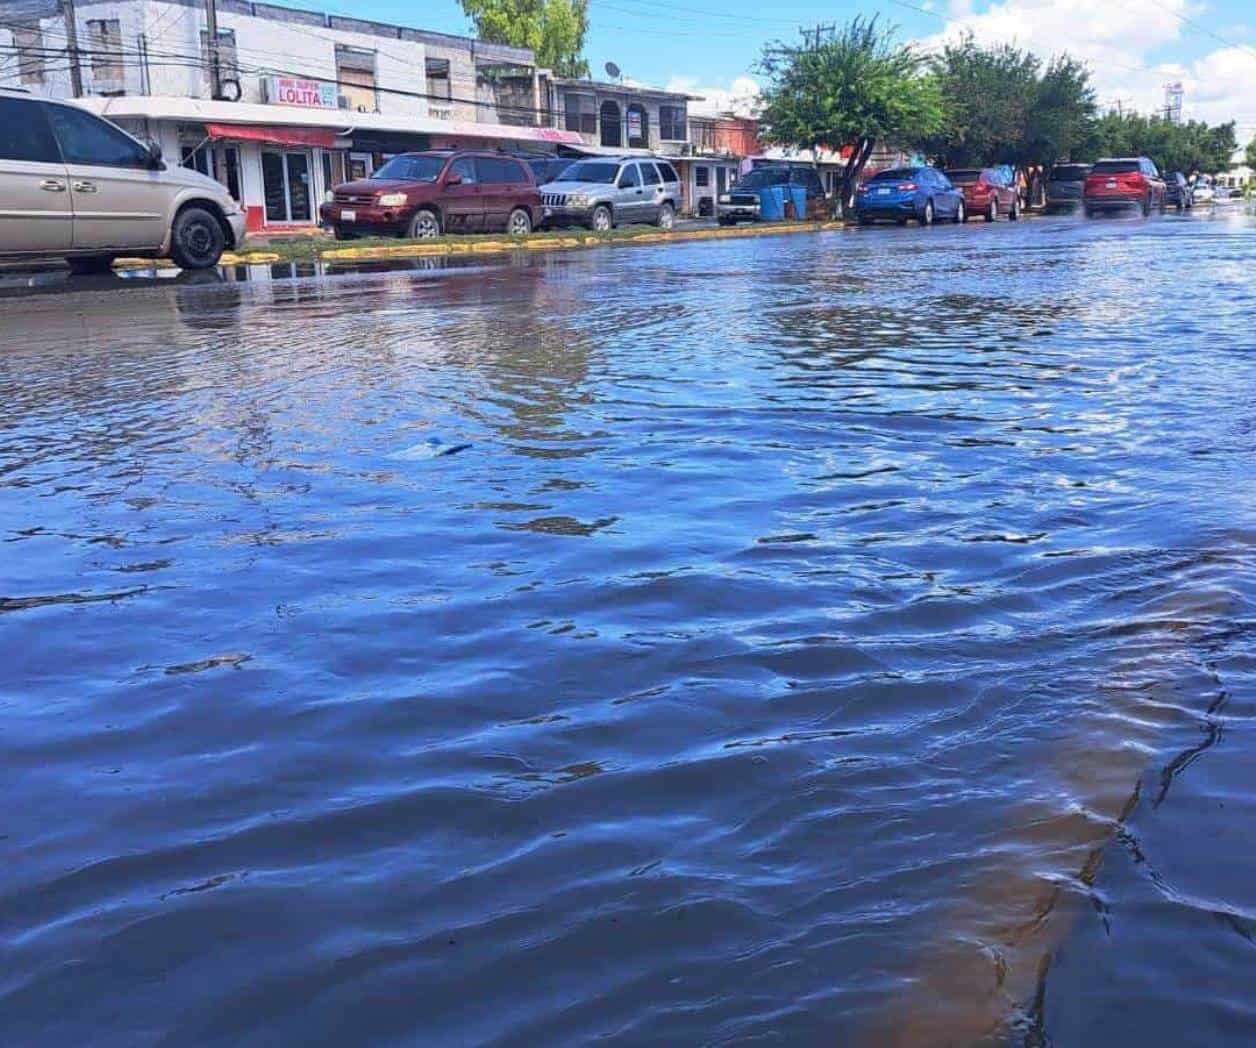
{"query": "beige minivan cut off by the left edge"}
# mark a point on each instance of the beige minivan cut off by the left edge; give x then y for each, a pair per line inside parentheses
(76, 185)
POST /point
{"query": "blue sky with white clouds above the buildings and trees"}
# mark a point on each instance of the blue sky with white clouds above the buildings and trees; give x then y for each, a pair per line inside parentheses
(1134, 46)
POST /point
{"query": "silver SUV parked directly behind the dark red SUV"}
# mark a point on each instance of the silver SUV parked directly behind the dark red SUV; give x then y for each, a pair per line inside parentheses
(607, 192)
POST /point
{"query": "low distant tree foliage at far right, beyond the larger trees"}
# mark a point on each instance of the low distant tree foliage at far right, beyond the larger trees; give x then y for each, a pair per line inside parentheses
(1193, 148)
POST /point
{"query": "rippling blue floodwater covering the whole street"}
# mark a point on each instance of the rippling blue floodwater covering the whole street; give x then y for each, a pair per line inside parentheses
(835, 639)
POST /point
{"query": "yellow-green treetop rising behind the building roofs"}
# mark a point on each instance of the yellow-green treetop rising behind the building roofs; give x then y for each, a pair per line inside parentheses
(555, 30)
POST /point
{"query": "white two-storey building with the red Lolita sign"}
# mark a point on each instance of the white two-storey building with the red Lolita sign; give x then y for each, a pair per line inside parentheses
(308, 100)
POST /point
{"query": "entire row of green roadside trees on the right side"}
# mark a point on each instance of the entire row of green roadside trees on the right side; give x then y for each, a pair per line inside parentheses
(966, 106)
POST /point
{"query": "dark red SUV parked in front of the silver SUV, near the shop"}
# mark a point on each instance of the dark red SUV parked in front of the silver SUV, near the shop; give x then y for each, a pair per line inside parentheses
(435, 193)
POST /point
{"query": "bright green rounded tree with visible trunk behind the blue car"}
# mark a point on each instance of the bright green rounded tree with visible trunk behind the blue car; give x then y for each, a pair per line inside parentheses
(857, 89)
